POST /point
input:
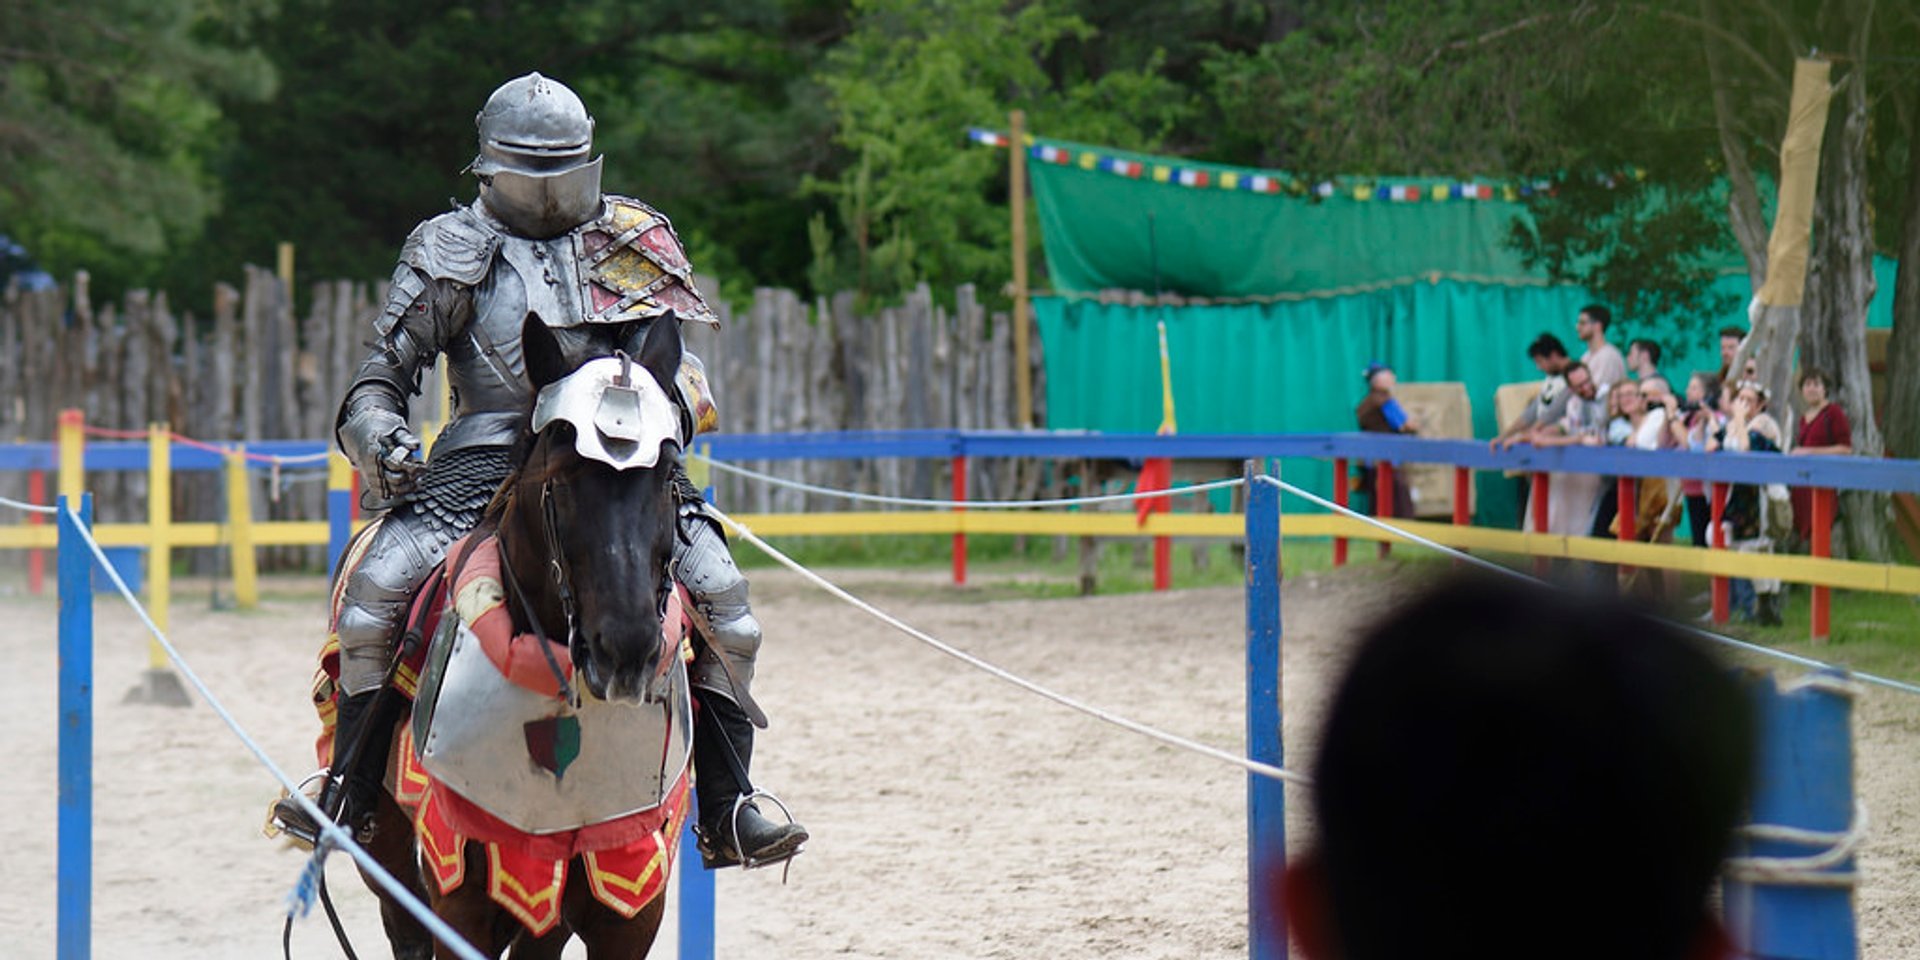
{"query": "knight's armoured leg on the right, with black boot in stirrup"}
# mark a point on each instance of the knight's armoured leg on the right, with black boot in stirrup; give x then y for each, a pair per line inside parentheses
(732, 830)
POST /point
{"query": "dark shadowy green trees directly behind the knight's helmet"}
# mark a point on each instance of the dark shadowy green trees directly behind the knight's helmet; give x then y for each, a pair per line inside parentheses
(704, 110)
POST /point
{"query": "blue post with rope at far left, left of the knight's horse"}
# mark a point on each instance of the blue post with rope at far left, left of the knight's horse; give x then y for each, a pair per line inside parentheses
(76, 882)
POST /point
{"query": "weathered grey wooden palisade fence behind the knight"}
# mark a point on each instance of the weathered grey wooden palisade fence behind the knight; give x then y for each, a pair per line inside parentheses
(258, 372)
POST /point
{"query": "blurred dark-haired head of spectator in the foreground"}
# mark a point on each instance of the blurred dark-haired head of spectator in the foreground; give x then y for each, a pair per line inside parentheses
(1516, 773)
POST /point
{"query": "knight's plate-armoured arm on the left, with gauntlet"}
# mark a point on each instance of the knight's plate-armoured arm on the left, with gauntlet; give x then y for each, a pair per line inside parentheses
(429, 302)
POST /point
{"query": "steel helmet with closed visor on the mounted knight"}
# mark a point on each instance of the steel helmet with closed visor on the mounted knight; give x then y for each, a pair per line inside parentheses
(535, 145)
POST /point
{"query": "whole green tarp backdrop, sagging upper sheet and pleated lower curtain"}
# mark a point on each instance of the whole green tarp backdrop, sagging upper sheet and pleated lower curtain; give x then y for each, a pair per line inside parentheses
(1424, 285)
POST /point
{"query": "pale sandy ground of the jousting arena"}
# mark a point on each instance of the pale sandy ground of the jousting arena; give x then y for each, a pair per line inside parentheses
(953, 815)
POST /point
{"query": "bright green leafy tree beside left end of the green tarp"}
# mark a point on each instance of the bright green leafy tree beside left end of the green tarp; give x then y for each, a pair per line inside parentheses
(915, 204)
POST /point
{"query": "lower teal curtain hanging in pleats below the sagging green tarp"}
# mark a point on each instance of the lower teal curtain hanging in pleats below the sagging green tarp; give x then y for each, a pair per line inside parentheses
(1297, 366)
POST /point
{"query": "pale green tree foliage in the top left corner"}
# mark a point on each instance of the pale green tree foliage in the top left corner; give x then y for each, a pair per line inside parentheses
(108, 114)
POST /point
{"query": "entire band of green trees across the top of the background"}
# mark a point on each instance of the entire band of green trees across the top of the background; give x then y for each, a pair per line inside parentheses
(819, 143)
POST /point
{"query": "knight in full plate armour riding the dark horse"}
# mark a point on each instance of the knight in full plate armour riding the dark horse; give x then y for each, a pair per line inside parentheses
(540, 241)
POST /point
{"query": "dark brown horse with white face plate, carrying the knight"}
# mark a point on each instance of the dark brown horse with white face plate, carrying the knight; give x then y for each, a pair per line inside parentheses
(587, 533)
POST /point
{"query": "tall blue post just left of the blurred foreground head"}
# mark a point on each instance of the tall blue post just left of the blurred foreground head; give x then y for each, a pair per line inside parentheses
(1266, 800)
